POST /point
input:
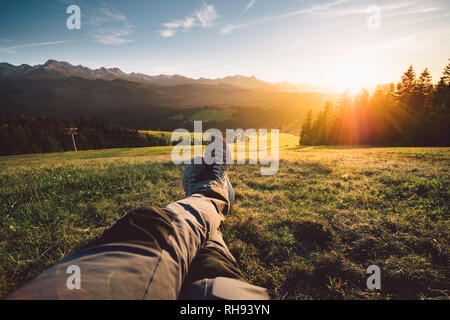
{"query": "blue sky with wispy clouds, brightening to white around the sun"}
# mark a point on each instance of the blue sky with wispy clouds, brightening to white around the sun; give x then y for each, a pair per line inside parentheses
(326, 42)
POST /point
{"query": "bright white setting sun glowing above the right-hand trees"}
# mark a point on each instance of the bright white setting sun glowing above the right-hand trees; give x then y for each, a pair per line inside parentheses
(354, 74)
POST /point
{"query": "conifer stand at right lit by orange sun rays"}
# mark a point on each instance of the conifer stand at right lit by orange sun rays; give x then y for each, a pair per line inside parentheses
(413, 112)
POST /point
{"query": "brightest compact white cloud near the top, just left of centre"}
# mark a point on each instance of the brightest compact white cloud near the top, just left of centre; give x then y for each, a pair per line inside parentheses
(203, 17)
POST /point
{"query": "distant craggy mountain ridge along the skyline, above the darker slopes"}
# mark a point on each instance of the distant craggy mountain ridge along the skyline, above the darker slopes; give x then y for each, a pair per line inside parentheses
(53, 69)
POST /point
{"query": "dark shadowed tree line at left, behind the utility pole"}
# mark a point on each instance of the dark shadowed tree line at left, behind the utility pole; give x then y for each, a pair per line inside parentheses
(29, 134)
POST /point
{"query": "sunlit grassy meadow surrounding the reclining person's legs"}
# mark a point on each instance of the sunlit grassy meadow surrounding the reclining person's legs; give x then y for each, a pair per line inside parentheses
(308, 232)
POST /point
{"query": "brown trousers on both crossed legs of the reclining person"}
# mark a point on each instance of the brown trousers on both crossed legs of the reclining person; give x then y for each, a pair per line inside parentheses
(152, 253)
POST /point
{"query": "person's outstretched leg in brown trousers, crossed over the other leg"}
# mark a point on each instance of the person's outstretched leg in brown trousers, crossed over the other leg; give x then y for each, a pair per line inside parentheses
(145, 255)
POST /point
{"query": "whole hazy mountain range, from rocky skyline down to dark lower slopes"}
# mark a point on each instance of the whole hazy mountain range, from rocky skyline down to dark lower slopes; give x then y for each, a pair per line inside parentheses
(140, 101)
